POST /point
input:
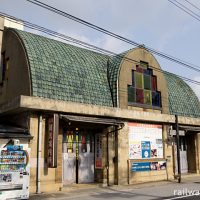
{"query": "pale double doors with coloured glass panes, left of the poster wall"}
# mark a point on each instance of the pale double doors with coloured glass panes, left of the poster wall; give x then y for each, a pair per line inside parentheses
(78, 156)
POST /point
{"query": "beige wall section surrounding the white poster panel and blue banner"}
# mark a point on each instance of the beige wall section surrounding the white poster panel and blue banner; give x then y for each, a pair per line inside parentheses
(125, 174)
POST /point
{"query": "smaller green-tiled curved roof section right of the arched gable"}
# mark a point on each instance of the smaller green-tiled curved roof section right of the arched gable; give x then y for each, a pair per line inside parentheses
(182, 99)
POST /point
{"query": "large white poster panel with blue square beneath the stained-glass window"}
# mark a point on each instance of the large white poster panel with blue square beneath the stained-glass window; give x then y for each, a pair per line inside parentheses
(145, 141)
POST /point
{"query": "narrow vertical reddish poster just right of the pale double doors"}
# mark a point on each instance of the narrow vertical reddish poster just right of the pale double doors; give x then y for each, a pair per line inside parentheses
(98, 151)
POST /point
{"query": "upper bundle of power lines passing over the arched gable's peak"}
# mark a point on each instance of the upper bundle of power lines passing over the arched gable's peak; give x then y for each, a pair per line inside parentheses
(95, 27)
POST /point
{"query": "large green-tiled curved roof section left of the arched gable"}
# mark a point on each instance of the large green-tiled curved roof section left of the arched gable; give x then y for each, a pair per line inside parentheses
(64, 72)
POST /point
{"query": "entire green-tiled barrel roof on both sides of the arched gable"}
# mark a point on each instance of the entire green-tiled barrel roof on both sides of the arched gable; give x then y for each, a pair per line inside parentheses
(65, 72)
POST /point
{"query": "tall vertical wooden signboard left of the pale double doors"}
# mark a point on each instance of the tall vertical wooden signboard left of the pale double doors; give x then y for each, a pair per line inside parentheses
(52, 141)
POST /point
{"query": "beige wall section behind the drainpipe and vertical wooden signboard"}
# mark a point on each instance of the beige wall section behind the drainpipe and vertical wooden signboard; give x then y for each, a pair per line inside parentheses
(51, 178)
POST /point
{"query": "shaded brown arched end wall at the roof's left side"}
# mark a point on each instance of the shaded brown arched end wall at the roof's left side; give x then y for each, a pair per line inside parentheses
(17, 81)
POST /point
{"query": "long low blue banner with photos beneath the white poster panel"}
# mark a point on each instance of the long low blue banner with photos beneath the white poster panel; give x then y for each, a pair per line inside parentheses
(148, 166)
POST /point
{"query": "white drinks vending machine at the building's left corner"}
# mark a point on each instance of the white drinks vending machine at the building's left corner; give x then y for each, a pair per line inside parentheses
(14, 171)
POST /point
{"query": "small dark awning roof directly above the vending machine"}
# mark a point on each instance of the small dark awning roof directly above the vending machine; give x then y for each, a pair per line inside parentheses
(12, 132)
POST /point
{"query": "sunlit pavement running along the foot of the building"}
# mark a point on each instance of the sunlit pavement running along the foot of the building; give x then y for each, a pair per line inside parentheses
(142, 191)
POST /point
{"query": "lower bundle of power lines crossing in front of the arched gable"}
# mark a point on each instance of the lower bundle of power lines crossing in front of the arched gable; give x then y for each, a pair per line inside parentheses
(84, 44)
